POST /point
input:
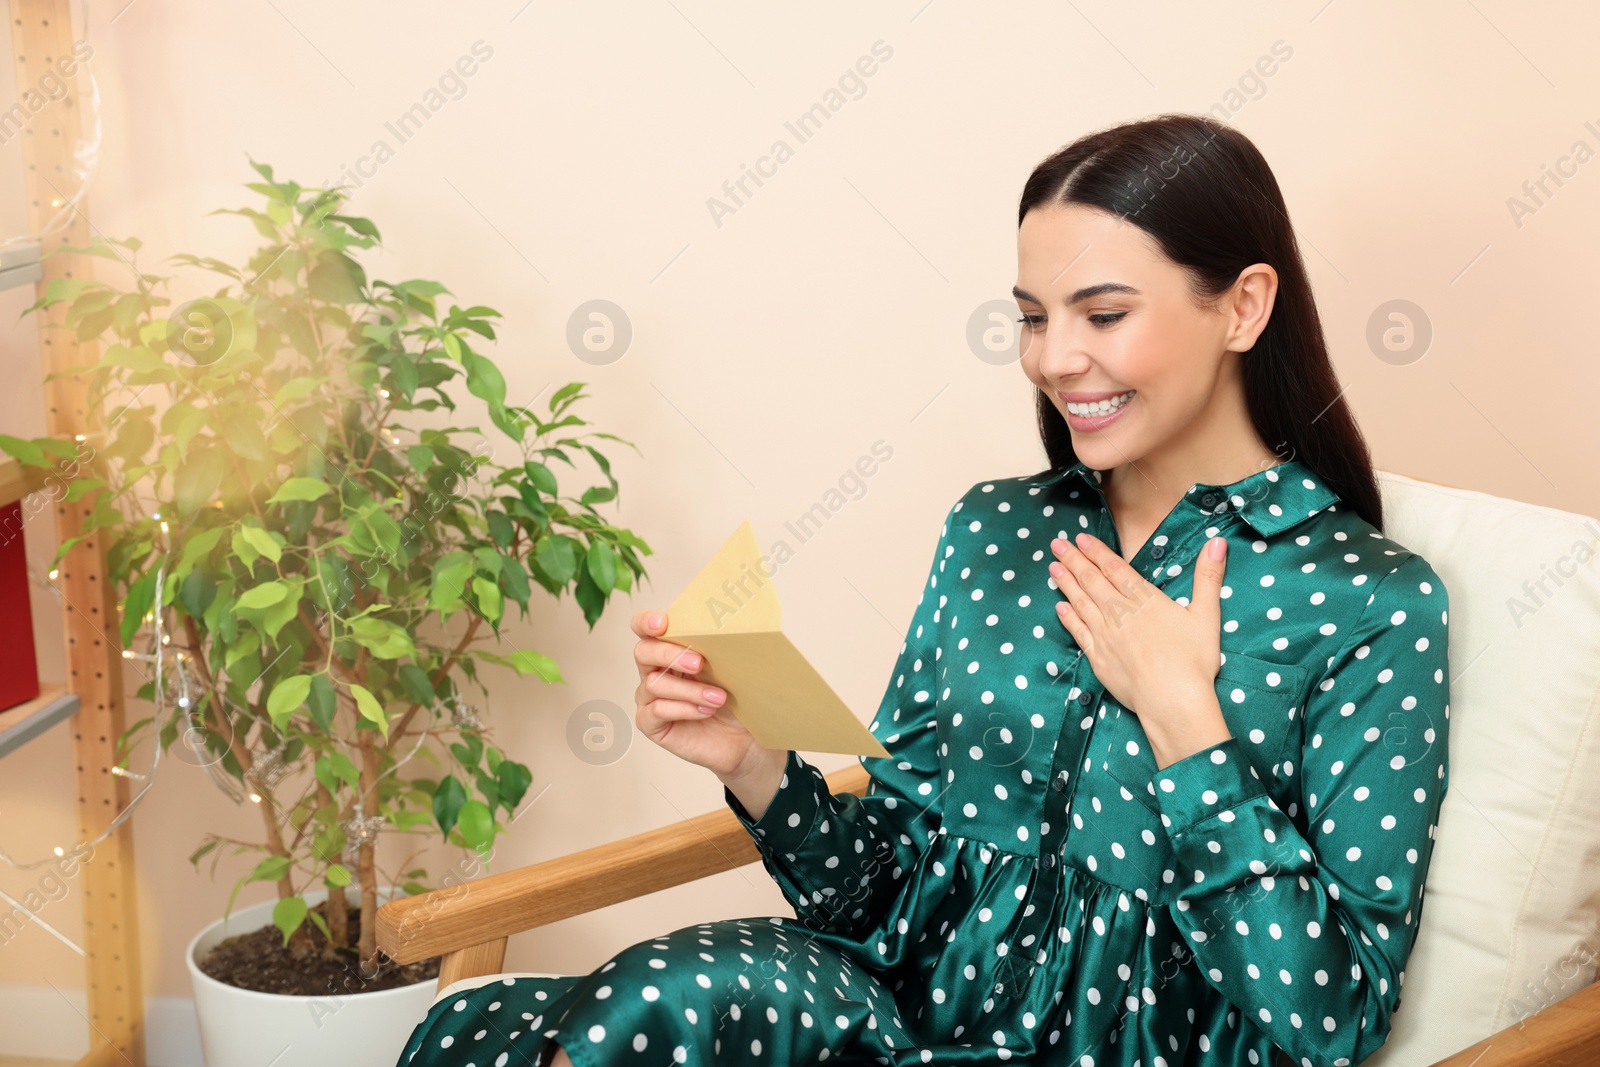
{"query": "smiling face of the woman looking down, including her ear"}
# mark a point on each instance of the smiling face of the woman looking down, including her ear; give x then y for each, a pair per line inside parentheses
(1106, 314)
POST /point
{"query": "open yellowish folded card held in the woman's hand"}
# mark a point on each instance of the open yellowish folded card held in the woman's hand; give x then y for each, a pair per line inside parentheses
(730, 613)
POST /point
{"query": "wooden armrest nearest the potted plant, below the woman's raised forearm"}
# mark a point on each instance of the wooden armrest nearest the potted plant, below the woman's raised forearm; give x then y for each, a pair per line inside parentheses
(476, 914)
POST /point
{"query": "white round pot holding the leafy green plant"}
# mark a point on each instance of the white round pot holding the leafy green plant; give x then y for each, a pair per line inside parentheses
(241, 1028)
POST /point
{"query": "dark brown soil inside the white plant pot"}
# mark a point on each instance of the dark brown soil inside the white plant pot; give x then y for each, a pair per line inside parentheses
(262, 962)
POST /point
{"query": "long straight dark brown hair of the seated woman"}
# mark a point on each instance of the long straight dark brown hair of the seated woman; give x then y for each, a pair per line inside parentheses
(1212, 204)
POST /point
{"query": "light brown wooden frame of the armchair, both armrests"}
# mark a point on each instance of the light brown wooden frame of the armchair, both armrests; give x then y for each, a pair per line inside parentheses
(468, 924)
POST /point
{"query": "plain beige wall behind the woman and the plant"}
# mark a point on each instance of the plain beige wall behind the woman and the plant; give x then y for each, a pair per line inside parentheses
(828, 313)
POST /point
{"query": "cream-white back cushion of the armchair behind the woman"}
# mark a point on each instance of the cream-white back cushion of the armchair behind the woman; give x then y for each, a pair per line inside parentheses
(1511, 903)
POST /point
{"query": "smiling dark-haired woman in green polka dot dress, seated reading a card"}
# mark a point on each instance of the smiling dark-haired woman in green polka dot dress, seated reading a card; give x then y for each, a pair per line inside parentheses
(1169, 729)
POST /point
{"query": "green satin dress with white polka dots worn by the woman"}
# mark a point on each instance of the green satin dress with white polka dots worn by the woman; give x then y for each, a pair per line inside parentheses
(1022, 884)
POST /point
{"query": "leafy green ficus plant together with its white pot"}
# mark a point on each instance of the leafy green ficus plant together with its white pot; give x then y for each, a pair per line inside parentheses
(321, 561)
